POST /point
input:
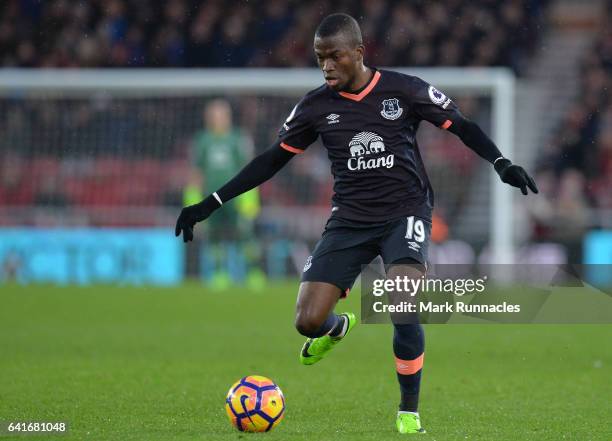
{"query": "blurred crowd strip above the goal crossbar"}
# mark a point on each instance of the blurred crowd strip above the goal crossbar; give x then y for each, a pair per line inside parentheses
(239, 33)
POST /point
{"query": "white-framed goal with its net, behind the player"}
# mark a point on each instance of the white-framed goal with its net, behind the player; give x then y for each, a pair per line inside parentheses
(115, 148)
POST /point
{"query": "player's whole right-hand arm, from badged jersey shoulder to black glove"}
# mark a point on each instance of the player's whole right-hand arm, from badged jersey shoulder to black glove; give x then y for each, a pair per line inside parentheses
(434, 106)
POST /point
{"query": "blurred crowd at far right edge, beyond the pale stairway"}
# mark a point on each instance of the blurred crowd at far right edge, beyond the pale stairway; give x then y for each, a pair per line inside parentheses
(575, 169)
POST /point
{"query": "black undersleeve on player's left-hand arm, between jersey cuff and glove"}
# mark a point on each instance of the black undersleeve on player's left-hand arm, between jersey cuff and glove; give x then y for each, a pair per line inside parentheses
(256, 172)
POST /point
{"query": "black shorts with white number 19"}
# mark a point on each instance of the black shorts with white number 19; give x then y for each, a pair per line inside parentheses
(347, 245)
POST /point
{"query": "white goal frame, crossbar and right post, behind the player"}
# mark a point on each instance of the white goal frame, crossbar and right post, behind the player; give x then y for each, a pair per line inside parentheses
(498, 83)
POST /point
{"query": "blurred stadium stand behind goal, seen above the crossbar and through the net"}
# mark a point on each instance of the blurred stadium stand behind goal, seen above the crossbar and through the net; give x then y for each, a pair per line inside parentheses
(101, 157)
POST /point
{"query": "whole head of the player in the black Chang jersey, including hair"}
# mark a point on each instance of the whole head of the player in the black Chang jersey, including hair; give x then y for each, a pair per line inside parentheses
(339, 50)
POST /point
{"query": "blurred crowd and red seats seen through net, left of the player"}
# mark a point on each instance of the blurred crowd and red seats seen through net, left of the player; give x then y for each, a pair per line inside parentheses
(104, 151)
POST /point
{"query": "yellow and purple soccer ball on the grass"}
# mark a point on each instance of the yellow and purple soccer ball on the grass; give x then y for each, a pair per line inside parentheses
(255, 404)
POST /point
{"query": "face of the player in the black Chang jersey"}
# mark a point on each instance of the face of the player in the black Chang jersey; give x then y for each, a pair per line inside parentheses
(338, 60)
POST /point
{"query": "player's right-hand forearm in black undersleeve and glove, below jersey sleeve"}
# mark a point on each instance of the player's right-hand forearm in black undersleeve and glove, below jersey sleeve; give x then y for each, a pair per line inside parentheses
(472, 136)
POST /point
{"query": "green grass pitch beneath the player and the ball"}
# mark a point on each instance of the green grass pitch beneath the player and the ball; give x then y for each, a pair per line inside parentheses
(155, 364)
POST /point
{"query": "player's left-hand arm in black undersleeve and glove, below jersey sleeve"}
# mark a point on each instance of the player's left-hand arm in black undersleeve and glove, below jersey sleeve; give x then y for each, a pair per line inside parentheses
(255, 173)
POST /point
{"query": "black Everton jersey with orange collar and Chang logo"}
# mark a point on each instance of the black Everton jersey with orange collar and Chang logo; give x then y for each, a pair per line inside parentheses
(370, 139)
